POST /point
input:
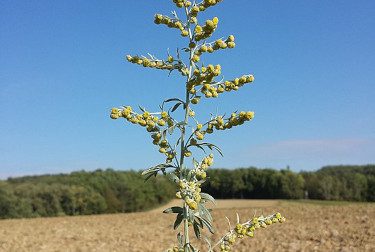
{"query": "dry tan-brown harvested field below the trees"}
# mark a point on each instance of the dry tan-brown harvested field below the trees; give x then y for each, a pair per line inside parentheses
(309, 227)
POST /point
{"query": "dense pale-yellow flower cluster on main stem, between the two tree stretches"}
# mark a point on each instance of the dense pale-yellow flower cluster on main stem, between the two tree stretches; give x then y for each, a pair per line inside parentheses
(190, 192)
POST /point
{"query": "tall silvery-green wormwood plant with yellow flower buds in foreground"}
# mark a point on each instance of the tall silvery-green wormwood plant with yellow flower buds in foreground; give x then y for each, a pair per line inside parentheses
(200, 81)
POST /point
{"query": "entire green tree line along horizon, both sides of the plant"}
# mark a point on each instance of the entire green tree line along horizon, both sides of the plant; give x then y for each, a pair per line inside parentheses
(109, 191)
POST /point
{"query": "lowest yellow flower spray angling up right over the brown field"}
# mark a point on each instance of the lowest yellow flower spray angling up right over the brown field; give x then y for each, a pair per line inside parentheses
(247, 229)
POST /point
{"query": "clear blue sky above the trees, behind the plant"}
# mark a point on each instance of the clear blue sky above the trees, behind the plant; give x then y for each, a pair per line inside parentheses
(62, 68)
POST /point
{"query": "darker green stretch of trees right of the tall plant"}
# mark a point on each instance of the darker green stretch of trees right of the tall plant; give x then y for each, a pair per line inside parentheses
(350, 183)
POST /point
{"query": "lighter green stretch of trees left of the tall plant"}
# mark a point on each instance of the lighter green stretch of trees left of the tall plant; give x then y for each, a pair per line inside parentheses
(80, 193)
